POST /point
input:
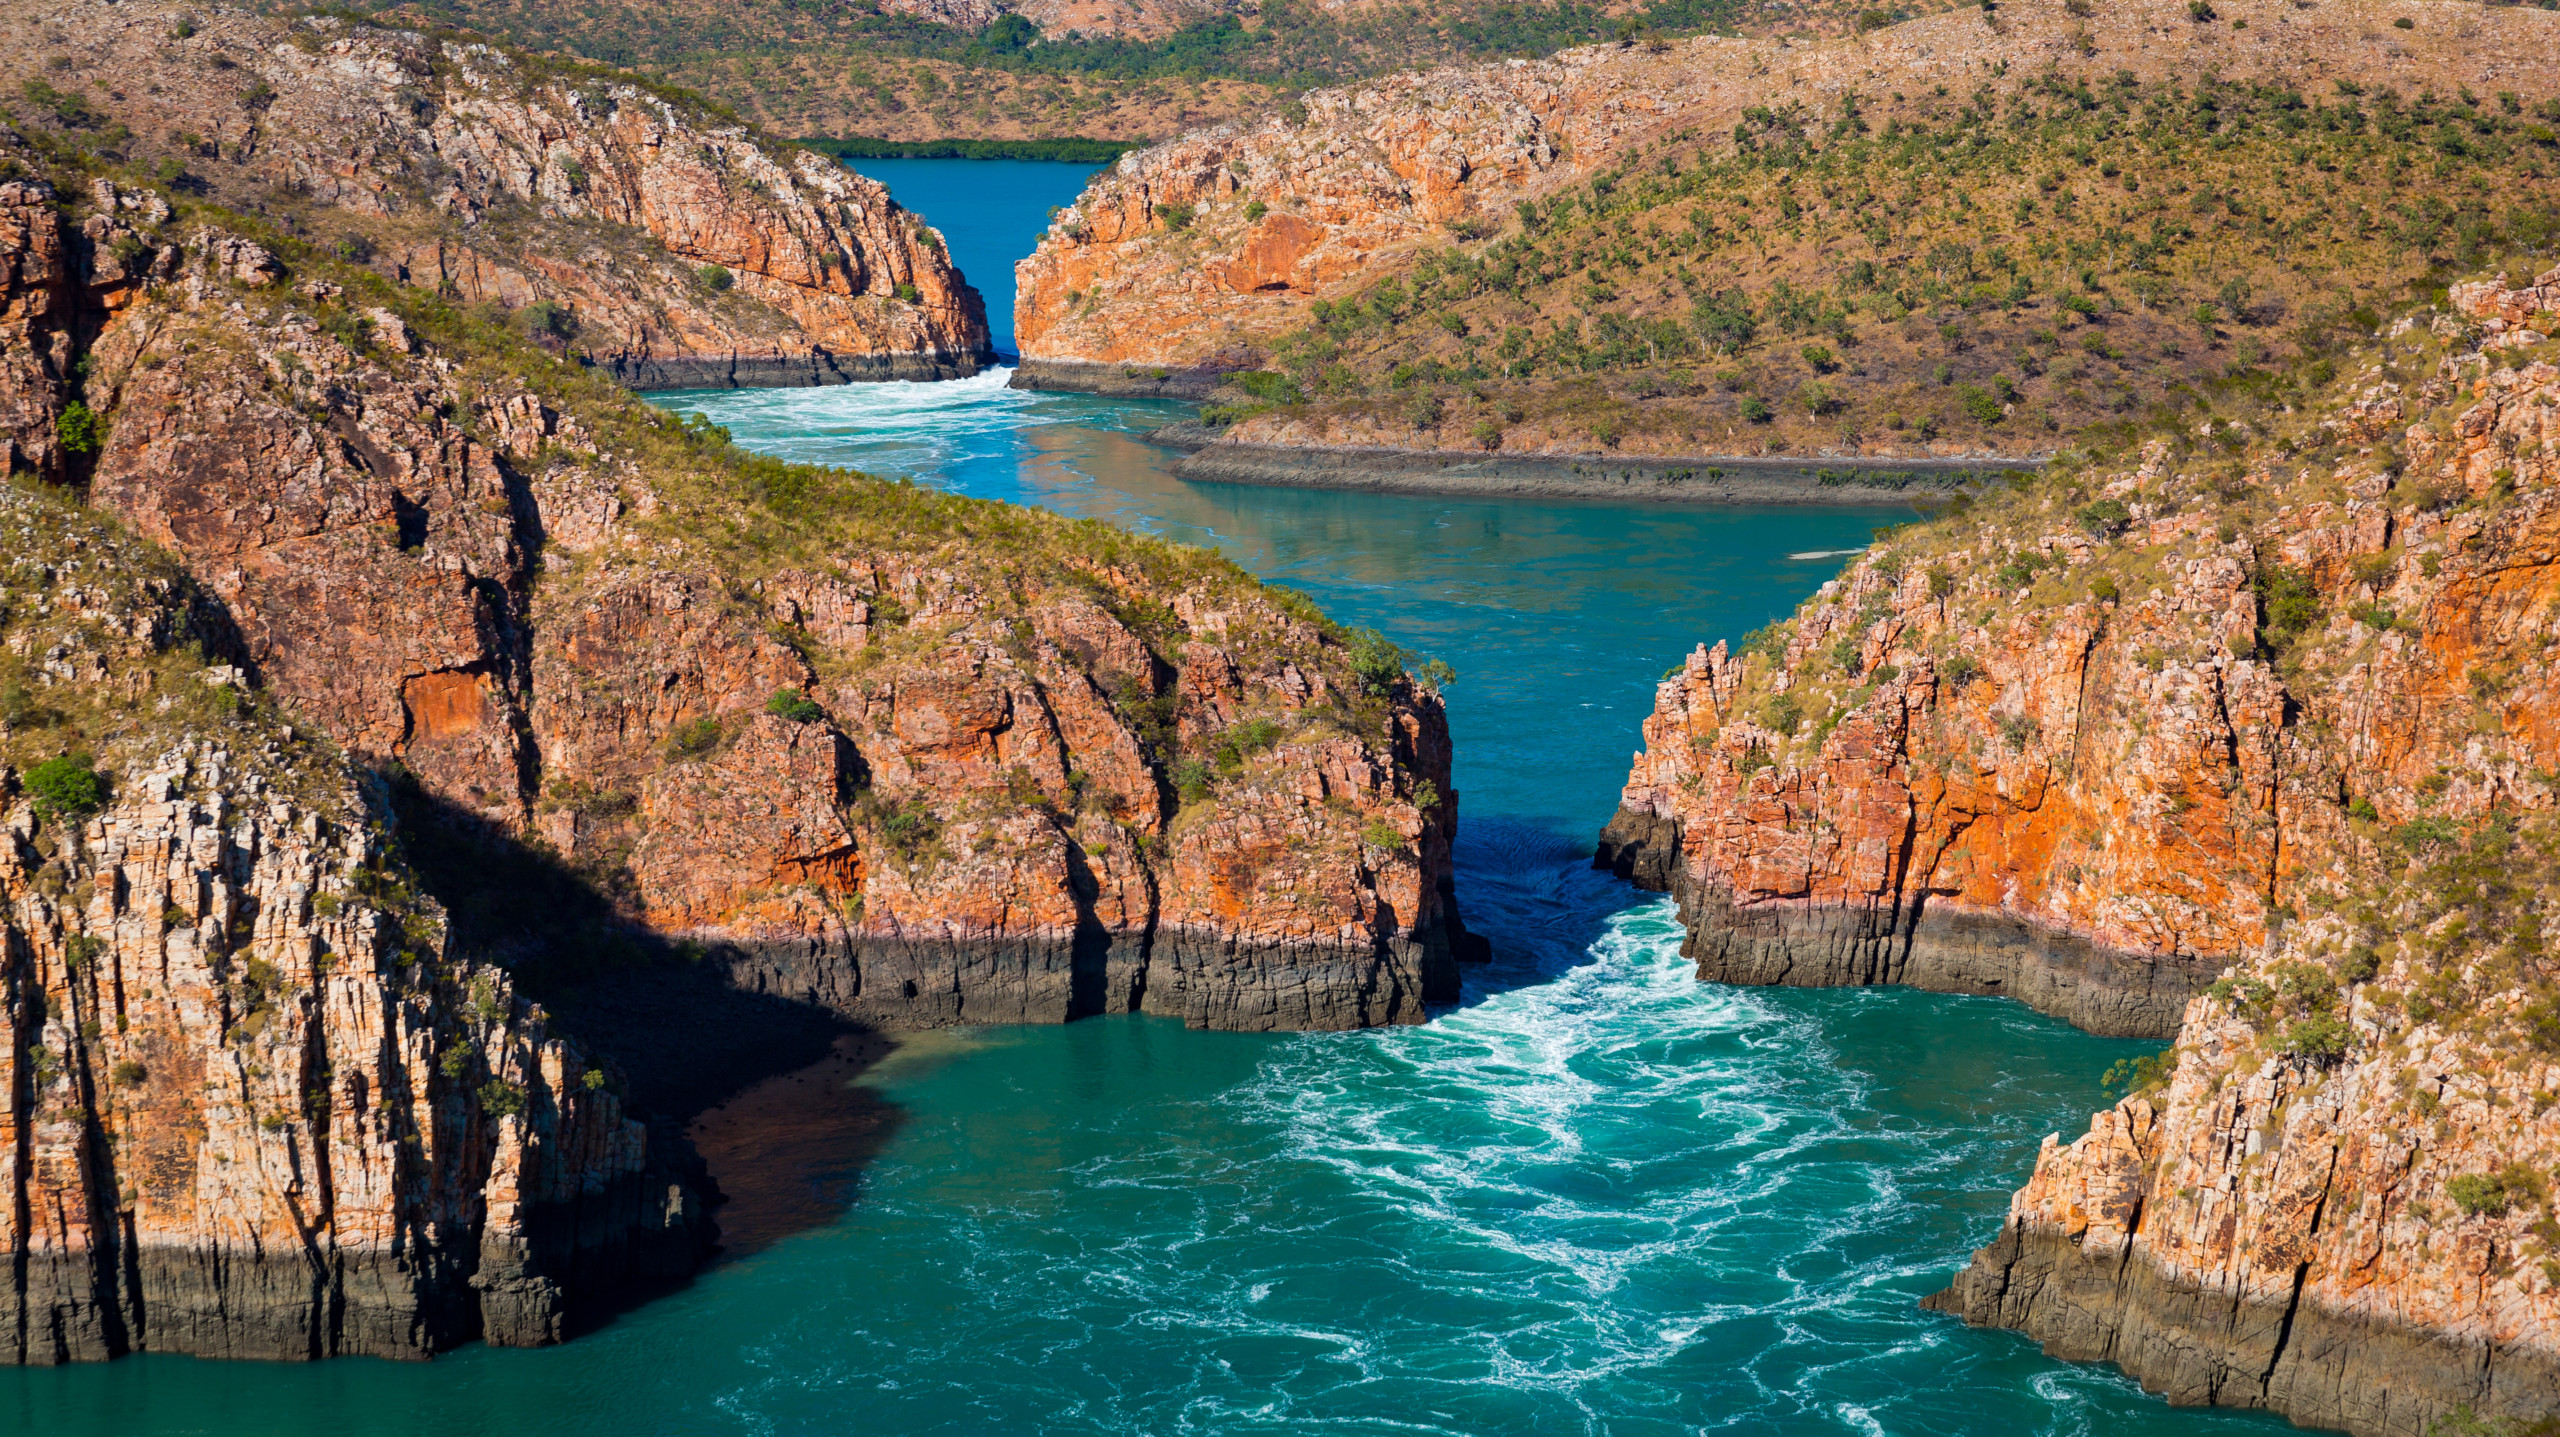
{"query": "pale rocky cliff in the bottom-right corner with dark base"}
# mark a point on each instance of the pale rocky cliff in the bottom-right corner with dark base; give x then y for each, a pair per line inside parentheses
(2339, 1200)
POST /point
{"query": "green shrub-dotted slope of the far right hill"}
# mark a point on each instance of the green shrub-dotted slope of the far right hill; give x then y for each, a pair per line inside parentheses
(1934, 270)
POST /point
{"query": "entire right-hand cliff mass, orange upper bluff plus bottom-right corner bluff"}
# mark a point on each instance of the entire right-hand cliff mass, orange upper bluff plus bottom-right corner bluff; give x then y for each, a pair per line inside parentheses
(2262, 708)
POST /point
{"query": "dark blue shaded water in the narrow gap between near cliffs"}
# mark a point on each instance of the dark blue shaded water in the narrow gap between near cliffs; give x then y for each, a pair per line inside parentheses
(1530, 888)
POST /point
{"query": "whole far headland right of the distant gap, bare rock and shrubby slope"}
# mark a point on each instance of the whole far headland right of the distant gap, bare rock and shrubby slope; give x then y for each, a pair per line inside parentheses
(1972, 234)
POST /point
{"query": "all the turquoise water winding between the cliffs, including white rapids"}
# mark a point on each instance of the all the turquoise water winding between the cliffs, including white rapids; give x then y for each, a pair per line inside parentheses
(1596, 1197)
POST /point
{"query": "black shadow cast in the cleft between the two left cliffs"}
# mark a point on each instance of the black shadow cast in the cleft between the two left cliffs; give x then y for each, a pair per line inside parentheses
(762, 1087)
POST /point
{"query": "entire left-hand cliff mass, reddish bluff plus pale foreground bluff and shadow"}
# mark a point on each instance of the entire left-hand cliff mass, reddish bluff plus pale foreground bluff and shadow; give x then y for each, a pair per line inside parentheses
(393, 701)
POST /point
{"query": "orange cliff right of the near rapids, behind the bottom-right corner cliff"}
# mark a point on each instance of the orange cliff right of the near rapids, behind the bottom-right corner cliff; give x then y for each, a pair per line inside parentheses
(2085, 742)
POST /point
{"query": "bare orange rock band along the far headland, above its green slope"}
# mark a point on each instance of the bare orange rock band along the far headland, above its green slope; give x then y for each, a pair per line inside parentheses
(1199, 252)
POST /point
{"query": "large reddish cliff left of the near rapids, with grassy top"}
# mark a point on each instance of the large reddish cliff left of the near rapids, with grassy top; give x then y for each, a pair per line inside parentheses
(908, 757)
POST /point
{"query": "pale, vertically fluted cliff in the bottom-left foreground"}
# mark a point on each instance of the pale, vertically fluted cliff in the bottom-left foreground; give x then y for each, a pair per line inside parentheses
(255, 1105)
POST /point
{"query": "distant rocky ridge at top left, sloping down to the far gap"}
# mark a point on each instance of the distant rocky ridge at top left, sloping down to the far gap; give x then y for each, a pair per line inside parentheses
(618, 222)
